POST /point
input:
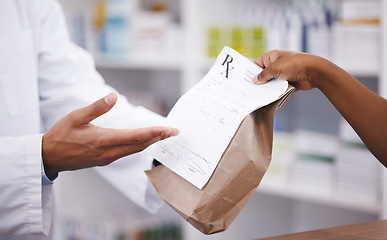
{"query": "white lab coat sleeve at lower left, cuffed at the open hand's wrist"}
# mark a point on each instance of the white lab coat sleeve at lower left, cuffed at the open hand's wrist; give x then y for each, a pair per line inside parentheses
(25, 205)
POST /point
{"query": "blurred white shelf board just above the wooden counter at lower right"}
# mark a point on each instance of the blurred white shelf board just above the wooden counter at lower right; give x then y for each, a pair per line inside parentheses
(314, 195)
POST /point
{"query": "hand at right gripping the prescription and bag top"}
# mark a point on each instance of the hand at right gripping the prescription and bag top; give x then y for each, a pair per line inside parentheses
(297, 68)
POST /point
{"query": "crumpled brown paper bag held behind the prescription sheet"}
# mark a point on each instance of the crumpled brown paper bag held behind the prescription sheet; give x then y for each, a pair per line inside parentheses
(235, 179)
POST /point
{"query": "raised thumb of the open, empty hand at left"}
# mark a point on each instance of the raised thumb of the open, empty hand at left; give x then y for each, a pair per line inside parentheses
(96, 109)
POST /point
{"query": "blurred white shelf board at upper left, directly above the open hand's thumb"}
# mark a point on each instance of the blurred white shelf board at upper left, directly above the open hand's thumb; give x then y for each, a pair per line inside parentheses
(144, 62)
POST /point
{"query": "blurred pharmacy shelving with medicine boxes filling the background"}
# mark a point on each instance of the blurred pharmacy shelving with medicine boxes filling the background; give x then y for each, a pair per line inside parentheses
(152, 51)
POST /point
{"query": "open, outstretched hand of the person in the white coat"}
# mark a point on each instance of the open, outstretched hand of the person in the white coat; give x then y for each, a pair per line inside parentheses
(74, 143)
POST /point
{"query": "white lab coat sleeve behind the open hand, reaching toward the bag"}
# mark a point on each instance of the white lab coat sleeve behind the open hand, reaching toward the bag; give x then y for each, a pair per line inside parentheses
(68, 80)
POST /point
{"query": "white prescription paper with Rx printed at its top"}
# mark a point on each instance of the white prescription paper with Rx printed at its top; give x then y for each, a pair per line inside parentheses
(209, 114)
